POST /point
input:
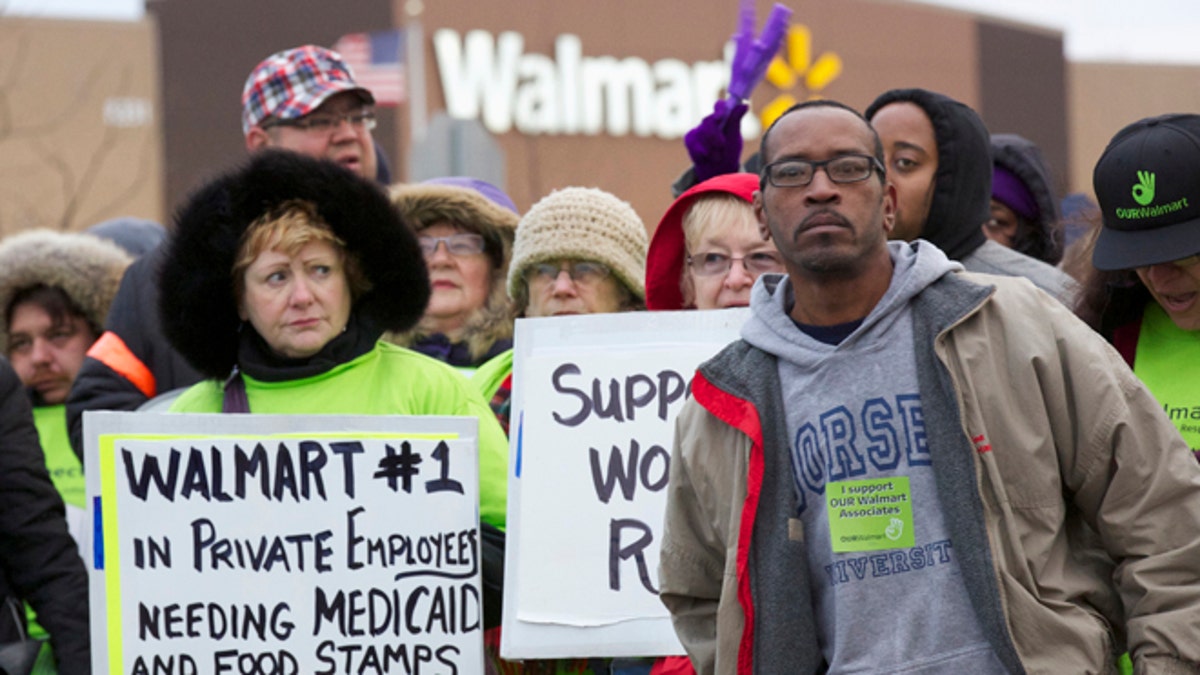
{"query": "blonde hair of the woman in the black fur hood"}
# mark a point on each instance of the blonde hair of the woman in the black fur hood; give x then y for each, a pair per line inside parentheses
(287, 229)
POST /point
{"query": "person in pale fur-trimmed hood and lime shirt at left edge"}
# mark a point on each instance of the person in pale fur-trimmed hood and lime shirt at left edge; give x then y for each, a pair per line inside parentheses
(56, 290)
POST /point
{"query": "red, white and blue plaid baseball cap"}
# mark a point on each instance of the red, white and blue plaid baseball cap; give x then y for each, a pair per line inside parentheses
(293, 83)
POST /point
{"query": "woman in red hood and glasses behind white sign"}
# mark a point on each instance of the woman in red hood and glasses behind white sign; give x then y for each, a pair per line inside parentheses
(707, 252)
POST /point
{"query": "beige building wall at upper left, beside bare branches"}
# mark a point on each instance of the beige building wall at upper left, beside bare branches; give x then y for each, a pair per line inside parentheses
(81, 138)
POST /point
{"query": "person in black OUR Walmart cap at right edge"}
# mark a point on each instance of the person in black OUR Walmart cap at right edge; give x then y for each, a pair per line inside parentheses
(1144, 295)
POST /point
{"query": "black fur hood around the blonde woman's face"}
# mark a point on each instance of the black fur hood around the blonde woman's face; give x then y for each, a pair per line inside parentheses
(197, 304)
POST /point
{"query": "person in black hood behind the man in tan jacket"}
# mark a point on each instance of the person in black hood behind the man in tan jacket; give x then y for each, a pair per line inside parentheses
(940, 162)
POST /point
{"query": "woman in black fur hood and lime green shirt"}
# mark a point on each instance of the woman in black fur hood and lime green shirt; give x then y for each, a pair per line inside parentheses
(278, 284)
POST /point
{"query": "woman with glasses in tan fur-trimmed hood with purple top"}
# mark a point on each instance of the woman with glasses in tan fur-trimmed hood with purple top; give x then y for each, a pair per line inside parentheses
(466, 229)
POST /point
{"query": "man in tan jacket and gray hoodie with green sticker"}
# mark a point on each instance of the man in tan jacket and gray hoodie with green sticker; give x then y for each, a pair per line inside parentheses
(904, 468)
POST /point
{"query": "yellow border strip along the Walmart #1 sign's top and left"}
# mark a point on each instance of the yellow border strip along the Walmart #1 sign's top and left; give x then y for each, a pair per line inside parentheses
(109, 517)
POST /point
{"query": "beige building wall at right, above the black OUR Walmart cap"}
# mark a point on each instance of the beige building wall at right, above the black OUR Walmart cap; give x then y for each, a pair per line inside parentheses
(1106, 98)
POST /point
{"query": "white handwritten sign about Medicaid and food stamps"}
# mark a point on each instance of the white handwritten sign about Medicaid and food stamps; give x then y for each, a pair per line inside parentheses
(283, 545)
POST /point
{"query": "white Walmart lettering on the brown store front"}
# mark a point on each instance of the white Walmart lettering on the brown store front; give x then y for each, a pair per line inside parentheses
(493, 79)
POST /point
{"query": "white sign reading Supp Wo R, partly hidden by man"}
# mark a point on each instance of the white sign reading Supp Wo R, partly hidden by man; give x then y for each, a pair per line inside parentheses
(595, 402)
